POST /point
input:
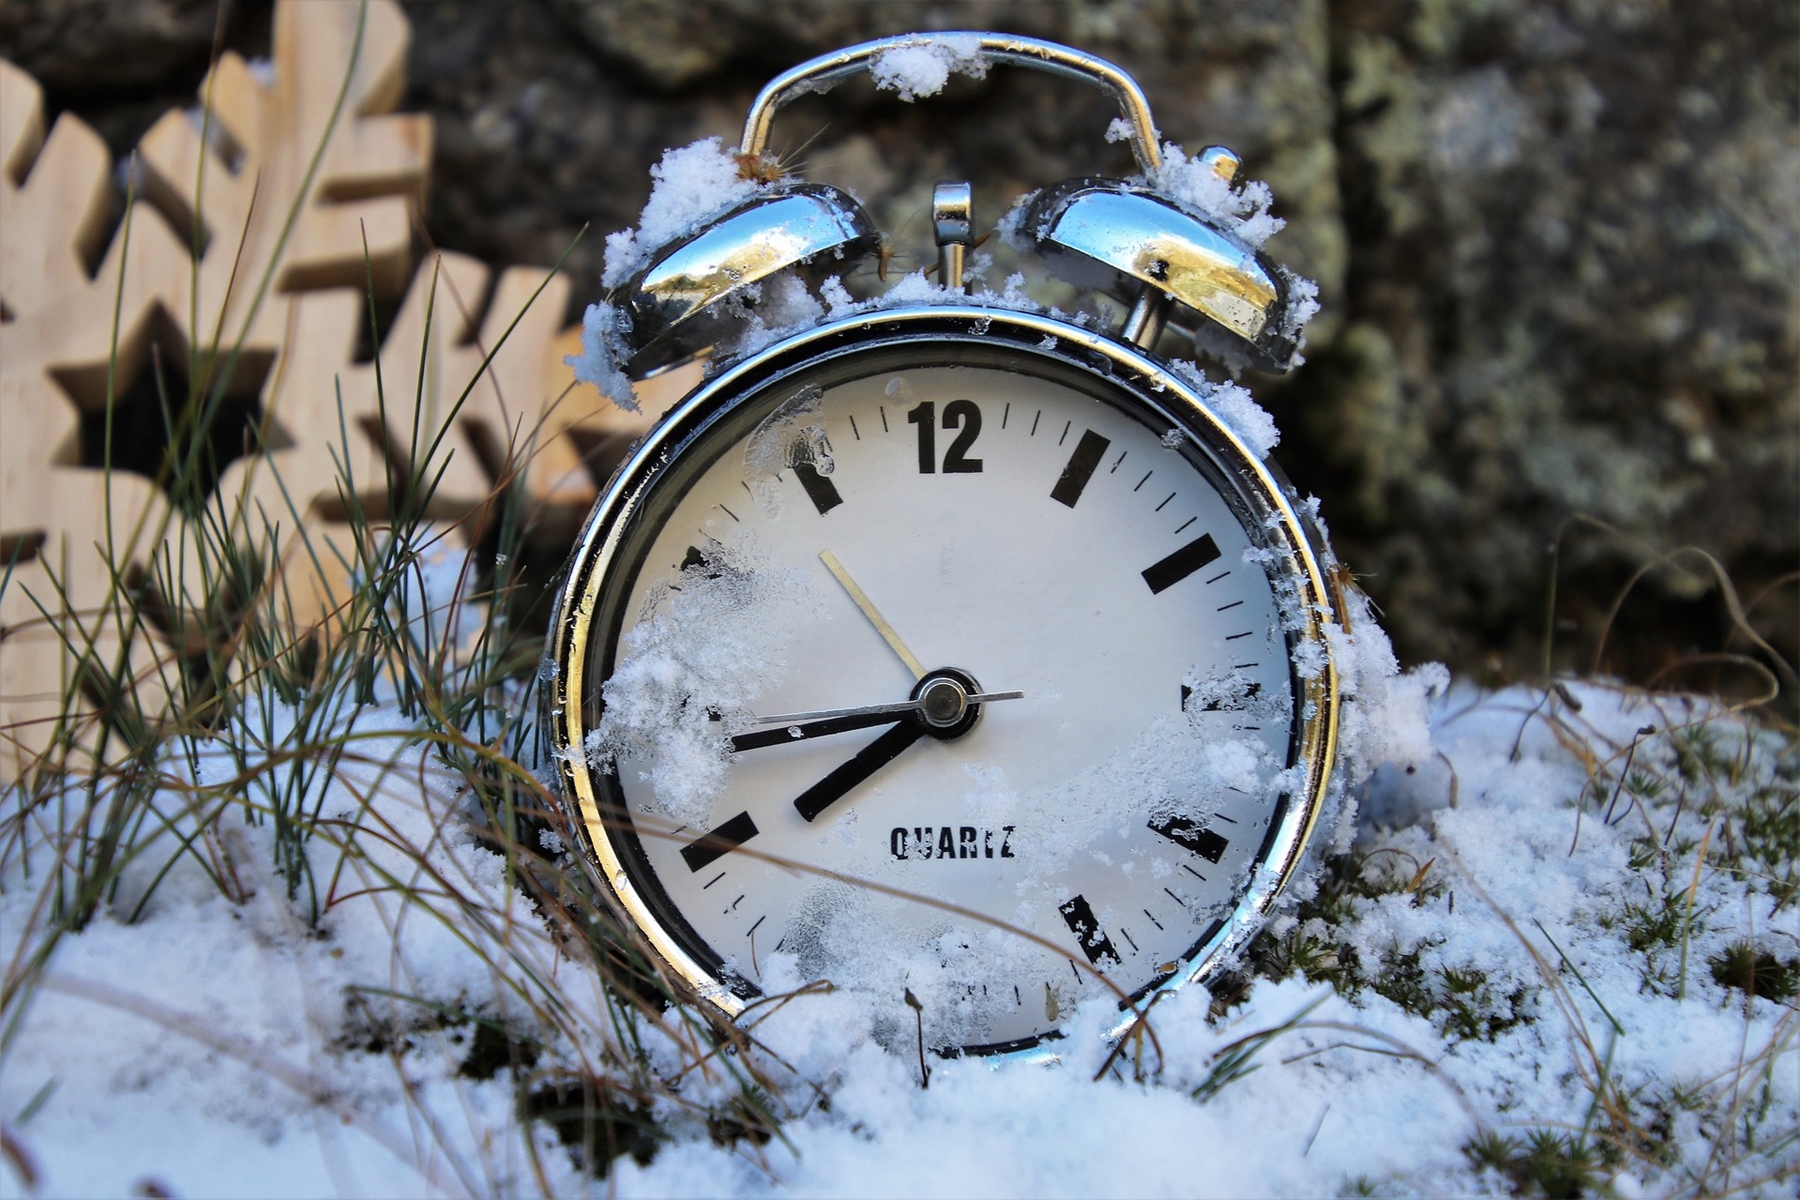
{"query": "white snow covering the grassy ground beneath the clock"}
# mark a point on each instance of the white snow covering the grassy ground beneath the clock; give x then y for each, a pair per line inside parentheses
(1525, 956)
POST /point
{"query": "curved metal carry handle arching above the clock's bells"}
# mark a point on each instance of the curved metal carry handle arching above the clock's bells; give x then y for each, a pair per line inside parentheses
(1048, 57)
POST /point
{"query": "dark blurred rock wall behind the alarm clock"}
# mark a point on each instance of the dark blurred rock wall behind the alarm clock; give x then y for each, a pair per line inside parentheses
(1558, 244)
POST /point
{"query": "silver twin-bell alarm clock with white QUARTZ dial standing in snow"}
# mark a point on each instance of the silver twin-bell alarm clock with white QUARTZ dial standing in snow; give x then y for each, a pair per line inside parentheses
(944, 647)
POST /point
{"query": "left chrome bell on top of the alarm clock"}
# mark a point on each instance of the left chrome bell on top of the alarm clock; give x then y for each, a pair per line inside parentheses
(678, 303)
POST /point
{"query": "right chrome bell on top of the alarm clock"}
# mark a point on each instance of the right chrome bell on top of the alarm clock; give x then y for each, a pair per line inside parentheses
(1106, 233)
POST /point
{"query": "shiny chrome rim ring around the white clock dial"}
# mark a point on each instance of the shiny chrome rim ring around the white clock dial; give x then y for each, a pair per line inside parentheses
(573, 638)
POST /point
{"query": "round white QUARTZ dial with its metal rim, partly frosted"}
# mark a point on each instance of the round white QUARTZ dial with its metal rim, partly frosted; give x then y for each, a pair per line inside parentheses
(953, 668)
